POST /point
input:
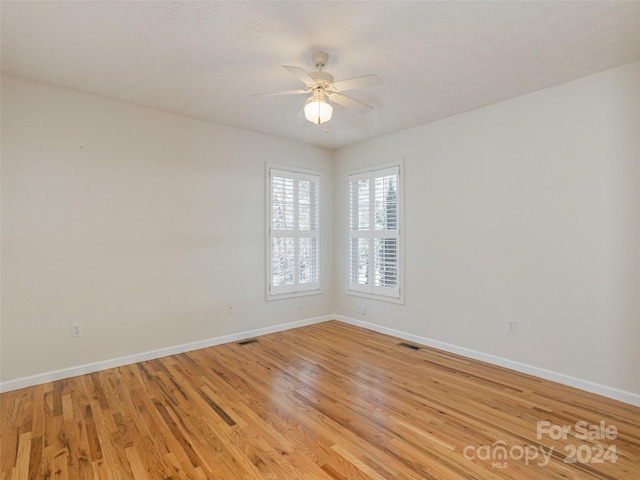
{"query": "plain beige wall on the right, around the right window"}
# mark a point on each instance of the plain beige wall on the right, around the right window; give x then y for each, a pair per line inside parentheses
(528, 210)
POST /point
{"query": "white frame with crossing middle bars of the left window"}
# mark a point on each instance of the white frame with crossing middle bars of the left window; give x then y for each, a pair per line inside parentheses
(297, 289)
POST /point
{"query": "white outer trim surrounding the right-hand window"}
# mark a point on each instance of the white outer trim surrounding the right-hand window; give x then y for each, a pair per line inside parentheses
(378, 293)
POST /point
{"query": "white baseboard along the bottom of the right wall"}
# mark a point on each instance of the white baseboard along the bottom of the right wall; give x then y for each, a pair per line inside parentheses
(604, 390)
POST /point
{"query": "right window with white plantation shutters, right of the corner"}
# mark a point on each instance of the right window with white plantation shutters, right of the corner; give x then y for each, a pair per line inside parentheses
(374, 232)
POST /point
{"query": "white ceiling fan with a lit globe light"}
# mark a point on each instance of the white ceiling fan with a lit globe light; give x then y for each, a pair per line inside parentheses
(321, 86)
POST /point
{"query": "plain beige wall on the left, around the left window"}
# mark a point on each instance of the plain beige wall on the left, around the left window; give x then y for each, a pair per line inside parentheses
(140, 224)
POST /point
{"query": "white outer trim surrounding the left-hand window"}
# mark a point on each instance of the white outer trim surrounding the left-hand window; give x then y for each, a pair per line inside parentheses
(298, 290)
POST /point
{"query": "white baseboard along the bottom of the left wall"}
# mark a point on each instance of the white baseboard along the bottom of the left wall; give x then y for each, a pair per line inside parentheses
(140, 357)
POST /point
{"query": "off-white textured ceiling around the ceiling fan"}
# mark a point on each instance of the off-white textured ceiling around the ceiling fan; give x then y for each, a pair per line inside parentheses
(204, 59)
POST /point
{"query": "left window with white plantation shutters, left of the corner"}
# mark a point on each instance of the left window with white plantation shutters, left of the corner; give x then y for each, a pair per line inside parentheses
(294, 233)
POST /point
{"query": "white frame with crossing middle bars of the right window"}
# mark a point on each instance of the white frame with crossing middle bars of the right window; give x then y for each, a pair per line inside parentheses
(373, 291)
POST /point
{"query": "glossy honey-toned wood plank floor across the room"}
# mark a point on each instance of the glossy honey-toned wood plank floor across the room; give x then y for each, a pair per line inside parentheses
(328, 401)
